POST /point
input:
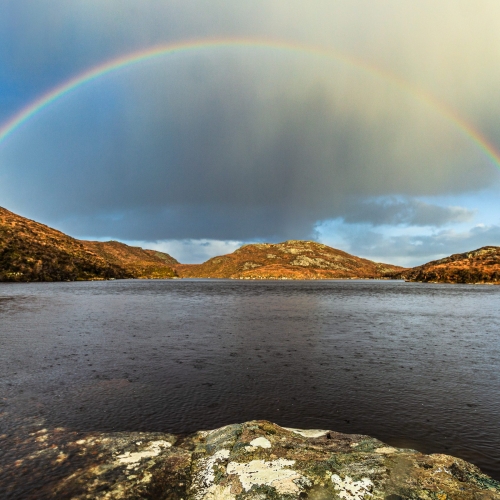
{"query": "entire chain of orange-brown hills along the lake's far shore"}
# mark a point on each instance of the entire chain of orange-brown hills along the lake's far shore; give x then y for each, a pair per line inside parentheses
(30, 251)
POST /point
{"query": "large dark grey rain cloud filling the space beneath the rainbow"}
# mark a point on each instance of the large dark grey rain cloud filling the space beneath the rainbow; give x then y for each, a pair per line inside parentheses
(223, 146)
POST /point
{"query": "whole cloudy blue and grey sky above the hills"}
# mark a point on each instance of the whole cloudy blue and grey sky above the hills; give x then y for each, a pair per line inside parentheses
(368, 126)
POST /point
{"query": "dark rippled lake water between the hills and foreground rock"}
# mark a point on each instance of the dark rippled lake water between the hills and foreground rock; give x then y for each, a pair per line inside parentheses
(415, 365)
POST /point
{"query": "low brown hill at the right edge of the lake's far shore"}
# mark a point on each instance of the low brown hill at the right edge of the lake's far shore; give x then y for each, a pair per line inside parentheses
(479, 266)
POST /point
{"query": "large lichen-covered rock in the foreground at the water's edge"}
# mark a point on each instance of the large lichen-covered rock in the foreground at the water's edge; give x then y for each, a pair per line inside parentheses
(254, 460)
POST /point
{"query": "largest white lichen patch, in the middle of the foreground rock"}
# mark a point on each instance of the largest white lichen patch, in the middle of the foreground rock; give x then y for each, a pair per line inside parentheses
(272, 473)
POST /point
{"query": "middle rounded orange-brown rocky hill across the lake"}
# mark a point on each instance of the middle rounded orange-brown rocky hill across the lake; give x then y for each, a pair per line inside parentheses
(288, 260)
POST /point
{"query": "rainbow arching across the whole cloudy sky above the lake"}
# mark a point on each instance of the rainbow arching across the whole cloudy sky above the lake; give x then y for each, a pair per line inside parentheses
(24, 115)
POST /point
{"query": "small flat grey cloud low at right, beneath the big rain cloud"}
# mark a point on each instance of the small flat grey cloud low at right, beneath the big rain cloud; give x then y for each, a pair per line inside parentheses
(409, 212)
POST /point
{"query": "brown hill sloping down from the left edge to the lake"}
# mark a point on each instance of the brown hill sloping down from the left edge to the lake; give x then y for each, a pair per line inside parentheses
(30, 251)
